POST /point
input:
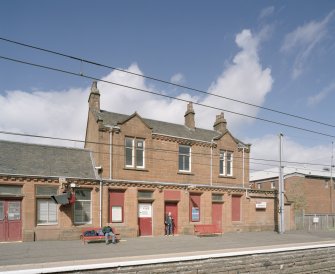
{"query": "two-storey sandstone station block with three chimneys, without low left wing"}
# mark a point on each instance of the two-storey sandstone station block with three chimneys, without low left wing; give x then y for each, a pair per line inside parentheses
(152, 167)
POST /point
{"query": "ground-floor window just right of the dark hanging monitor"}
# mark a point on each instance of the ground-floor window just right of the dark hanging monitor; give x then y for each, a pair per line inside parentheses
(83, 207)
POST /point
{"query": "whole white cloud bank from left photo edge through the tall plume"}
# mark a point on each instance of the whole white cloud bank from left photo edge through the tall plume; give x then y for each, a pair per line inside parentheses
(63, 113)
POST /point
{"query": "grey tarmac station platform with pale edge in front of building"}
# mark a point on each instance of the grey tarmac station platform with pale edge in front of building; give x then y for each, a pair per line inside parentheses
(22, 256)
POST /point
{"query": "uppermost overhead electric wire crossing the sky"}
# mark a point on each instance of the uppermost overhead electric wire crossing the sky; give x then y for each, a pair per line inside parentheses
(162, 81)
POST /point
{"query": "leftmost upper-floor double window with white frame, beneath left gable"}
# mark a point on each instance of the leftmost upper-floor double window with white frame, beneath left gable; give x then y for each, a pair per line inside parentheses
(134, 152)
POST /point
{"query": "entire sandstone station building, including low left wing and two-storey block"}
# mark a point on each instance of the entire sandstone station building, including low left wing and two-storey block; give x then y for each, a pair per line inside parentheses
(132, 171)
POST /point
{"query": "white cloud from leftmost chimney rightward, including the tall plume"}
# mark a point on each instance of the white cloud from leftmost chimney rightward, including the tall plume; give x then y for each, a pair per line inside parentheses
(243, 80)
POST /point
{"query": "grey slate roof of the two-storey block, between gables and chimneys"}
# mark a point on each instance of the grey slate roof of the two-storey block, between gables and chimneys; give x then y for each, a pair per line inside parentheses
(163, 128)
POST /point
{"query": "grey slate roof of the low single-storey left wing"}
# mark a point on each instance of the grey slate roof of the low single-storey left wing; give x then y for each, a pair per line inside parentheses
(43, 160)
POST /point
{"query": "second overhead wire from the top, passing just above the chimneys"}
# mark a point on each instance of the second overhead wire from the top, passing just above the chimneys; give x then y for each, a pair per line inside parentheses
(163, 95)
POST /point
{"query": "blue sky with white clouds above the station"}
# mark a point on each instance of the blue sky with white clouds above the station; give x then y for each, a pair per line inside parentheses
(278, 55)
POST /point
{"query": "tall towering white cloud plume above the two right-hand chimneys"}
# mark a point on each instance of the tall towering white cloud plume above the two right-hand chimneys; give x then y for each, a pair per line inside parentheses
(244, 80)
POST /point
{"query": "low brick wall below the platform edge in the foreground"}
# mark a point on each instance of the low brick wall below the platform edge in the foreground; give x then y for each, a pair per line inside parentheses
(311, 260)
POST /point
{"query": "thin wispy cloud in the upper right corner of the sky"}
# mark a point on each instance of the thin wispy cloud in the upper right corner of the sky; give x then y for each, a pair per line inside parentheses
(304, 39)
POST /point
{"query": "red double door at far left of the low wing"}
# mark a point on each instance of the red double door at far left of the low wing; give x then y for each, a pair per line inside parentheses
(10, 220)
